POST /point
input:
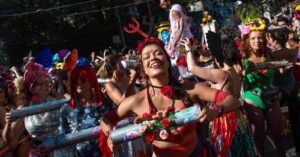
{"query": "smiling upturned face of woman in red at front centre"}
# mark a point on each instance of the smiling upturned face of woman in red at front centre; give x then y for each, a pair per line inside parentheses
(155, 62)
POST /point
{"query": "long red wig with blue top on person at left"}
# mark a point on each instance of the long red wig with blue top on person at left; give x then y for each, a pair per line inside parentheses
(83, 69)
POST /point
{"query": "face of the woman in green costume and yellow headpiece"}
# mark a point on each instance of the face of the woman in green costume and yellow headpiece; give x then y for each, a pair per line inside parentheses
(256, 40)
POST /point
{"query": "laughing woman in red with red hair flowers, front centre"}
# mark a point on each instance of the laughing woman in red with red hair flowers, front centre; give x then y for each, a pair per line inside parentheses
(163, 91)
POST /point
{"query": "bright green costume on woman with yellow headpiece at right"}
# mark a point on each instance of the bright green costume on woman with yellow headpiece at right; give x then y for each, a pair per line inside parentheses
(255, 83)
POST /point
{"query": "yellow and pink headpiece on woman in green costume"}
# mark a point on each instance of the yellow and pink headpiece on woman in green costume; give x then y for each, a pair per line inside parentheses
(252, 24)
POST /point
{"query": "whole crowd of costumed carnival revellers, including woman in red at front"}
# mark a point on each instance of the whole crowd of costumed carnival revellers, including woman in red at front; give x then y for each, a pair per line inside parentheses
(240, 79)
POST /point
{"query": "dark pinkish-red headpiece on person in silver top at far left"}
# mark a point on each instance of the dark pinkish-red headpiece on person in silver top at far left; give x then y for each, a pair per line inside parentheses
(32, 72)
